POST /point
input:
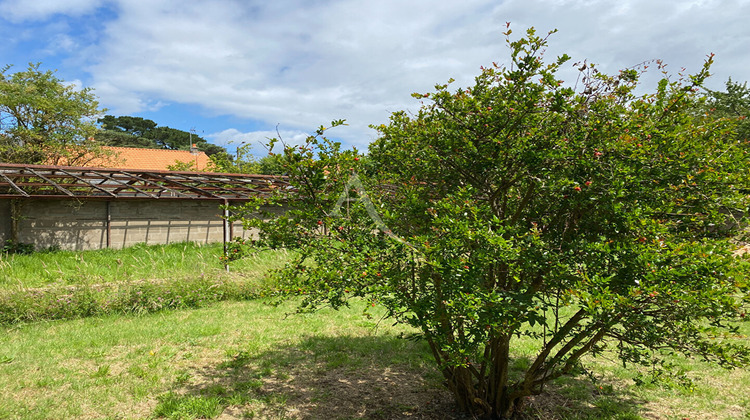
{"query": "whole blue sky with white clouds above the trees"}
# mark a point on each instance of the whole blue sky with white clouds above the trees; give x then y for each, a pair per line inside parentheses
(239, 71)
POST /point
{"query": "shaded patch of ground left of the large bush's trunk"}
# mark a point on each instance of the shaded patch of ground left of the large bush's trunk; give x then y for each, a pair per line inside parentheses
(311, 385)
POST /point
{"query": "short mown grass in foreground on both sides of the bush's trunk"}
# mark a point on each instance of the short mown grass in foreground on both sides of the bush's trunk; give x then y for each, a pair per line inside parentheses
(250, 359)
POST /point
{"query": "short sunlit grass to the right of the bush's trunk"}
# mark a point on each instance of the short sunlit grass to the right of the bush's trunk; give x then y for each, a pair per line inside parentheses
(606, 389)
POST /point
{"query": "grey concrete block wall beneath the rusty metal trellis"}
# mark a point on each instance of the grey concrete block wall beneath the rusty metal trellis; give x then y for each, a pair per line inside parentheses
(82, 225)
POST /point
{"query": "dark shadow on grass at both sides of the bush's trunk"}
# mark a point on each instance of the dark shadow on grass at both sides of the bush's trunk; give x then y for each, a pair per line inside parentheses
(346, 377)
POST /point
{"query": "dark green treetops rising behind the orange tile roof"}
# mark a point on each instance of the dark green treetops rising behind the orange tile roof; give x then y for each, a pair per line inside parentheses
(127, 131)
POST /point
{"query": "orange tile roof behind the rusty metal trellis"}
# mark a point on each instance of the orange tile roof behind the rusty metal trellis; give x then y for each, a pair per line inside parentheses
(150, 159)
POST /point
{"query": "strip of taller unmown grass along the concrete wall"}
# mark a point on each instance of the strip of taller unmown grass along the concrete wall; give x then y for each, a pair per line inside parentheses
(134, 280)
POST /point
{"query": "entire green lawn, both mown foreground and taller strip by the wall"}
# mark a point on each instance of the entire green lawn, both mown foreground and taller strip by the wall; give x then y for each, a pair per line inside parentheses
(237, 357)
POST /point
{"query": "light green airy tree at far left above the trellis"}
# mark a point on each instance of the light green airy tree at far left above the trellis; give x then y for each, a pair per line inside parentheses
(45, 120)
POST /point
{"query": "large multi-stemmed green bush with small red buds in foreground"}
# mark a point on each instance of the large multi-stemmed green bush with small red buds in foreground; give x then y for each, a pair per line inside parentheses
(587, 218)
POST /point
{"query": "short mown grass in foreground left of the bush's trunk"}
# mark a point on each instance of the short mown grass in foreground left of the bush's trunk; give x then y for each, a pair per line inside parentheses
(244, 359)
